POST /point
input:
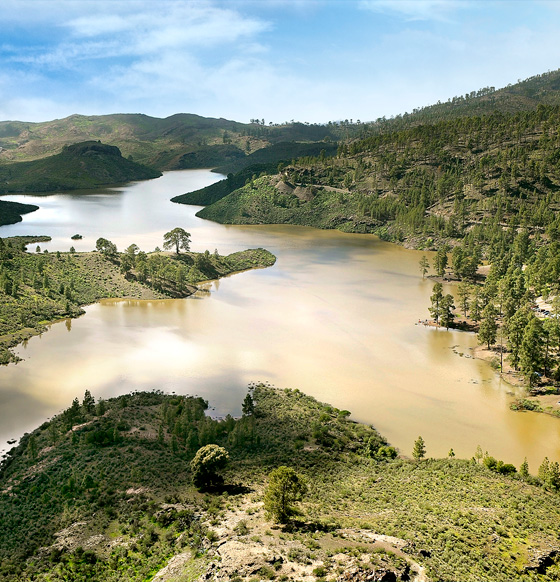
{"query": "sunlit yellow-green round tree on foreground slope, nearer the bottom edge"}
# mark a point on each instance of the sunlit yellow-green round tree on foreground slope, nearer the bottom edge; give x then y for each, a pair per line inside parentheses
(285, 487)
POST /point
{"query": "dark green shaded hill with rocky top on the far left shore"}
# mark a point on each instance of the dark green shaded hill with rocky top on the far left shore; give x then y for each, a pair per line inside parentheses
(83, 165)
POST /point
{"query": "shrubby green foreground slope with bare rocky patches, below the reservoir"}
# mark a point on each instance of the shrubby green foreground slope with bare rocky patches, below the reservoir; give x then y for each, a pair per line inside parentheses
(118, 485)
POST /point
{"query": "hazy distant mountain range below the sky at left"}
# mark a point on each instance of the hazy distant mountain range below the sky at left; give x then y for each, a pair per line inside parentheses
(176, 142)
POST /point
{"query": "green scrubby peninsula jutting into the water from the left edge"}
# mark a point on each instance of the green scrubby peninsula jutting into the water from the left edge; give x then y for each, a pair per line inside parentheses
(39, 288)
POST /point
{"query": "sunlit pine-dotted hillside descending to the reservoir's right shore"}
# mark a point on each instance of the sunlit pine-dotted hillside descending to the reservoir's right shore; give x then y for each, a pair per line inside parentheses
(437, 181)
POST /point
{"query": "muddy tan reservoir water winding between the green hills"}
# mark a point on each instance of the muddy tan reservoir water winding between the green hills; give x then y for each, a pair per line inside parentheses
(336, 316)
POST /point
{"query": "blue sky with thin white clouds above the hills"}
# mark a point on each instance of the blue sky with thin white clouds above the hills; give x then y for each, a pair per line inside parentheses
(279, 60)
